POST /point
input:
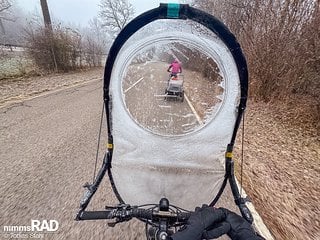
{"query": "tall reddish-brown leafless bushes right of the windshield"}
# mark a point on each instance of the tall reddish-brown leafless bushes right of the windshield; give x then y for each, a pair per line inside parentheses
(281, 40)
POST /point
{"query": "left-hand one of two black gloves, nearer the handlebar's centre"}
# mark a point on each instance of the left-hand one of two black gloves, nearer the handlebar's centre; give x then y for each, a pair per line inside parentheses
(199, 221)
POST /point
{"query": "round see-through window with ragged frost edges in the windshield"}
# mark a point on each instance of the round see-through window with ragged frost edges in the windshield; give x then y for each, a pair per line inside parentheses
(177, 106)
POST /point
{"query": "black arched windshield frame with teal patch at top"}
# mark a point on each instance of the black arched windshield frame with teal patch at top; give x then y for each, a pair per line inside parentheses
(182, 12)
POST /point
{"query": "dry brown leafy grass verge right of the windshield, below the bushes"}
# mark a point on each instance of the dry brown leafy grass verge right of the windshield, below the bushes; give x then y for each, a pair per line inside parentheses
(282, 169)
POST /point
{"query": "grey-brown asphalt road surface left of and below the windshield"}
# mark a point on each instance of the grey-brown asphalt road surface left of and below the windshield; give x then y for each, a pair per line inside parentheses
(47, 152)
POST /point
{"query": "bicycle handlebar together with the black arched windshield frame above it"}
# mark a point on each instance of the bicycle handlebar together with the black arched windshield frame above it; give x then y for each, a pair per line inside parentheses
(163, 219)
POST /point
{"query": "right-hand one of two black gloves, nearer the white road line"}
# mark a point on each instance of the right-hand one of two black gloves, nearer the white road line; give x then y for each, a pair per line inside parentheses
(235, 226)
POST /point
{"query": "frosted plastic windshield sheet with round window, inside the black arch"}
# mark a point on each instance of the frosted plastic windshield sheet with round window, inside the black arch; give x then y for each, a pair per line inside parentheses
(164, 147)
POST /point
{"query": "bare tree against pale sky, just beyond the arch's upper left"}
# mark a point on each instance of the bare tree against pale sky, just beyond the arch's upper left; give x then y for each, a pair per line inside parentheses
(114, 15)
